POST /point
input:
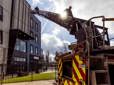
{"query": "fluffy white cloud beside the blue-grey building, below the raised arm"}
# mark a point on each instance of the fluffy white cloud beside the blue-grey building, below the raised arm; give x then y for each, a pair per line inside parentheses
(51, 42)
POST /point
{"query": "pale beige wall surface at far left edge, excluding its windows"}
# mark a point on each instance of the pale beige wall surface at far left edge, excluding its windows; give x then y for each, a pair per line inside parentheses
(5, 26)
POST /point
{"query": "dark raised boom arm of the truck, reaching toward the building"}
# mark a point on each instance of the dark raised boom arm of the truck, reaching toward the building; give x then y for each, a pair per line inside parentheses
(82, 29)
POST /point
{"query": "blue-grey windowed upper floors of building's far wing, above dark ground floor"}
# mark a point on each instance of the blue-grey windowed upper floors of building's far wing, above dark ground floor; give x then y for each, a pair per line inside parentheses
(34, 45)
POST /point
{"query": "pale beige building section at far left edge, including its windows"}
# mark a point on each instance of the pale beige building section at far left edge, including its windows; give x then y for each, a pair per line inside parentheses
(5, 15)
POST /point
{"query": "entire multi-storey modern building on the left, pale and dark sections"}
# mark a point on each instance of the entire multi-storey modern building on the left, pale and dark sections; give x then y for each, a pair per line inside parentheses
(20, 37)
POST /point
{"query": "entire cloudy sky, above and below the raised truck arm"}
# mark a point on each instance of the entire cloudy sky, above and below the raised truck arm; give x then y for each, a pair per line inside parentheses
(55, 38)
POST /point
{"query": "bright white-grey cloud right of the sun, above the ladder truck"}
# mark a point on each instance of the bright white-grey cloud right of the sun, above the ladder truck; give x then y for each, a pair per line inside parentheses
(86, 9)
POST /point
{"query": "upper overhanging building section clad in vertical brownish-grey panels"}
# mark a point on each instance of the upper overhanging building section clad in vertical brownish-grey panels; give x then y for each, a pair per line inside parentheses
(21, 16)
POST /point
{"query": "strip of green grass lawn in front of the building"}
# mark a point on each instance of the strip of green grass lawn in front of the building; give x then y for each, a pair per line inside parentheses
(34, 77)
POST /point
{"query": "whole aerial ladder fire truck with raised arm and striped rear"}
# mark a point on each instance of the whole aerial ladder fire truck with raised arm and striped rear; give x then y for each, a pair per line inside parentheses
(91, 61)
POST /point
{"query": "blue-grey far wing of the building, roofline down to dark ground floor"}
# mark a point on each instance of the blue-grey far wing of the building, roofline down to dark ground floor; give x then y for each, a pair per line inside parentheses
(34, 45)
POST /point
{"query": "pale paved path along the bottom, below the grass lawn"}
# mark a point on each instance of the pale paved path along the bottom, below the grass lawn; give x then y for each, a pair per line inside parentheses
(48, 82)
